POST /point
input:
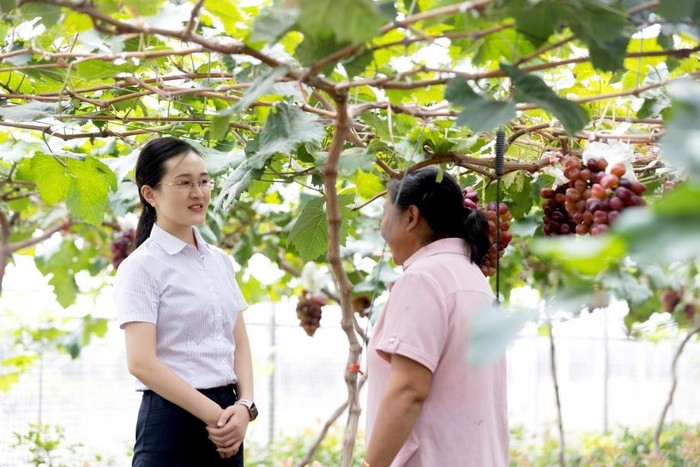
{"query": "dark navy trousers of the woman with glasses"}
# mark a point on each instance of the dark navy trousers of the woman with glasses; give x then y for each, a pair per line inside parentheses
(169, 436)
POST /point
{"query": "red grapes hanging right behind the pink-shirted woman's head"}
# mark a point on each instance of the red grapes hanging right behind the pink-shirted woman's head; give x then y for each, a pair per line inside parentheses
(494, 213)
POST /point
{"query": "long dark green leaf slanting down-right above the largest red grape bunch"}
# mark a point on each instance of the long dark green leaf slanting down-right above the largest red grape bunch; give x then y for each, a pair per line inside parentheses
(532, 89)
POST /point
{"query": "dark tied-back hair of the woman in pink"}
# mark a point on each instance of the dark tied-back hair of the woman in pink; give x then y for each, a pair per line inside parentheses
(441, 203)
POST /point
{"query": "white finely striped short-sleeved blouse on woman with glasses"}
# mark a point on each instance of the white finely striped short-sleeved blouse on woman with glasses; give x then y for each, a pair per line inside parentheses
(192, 297)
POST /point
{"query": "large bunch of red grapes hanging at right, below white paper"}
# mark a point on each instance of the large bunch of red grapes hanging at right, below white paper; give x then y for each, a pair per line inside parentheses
(591, 200)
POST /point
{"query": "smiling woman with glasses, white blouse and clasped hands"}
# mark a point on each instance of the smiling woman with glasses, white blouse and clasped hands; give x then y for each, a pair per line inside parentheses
(180, 306)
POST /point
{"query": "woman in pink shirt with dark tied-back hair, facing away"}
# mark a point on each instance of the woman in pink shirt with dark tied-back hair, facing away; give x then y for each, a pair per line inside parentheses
(427, 406)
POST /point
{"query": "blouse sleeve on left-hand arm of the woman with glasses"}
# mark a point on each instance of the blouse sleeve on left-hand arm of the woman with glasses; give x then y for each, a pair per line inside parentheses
(135, 293)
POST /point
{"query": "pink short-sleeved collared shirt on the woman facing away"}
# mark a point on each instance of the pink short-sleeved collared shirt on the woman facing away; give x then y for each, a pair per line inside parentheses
(464, 420)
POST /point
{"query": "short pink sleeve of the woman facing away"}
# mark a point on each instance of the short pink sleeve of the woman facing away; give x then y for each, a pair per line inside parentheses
(415, 321)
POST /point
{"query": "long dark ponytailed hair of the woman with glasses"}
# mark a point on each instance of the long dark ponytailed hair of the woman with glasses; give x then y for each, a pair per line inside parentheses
(150, 168)
